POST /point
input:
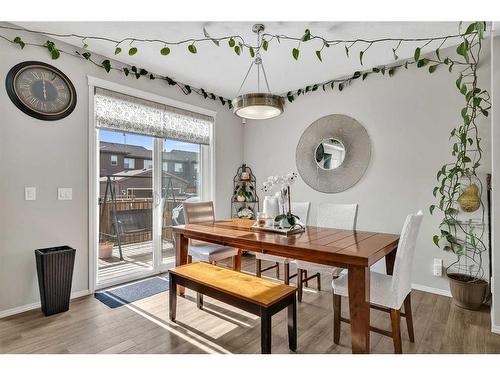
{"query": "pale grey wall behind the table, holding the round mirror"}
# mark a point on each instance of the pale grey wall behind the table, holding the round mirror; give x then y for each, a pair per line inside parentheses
(408, 118)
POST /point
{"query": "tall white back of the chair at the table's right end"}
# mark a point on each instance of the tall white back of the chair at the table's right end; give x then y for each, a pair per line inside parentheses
(401, 280)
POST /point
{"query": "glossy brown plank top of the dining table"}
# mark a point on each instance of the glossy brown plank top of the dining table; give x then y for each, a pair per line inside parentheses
(335, 247)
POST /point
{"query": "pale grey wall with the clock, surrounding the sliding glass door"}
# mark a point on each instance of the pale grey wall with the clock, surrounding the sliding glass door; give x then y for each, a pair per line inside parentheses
(55, 154)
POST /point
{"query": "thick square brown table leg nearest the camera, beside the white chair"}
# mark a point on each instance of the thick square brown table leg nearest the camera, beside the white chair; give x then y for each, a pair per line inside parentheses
(359, 308)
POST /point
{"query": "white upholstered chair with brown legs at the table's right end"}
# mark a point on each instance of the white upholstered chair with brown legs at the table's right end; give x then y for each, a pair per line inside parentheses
(387, 292)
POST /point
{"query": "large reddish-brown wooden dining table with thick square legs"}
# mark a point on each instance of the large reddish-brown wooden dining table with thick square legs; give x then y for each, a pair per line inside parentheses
(353, 250)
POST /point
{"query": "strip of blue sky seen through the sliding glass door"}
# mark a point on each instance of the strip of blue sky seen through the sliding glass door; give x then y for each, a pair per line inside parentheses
(145, 141)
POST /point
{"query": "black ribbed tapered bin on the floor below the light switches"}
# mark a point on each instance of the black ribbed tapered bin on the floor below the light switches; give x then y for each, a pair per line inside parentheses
(54, 266)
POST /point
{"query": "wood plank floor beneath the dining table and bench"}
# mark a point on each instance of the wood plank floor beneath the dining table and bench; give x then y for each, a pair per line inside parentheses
(143, 327)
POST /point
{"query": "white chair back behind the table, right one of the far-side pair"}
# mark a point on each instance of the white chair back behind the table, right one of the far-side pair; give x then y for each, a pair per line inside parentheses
(338, 216)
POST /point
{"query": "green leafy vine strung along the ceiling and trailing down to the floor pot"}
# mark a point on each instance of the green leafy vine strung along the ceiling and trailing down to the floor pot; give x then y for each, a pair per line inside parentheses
(460, 238)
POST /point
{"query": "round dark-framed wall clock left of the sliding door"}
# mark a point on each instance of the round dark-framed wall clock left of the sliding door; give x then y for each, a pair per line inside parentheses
(41, 90)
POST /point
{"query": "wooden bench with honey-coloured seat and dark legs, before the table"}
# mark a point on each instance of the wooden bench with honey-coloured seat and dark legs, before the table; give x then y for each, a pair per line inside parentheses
(255, 295)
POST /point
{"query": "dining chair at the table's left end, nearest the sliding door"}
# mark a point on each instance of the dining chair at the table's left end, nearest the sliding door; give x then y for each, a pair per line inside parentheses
(201, 251)
